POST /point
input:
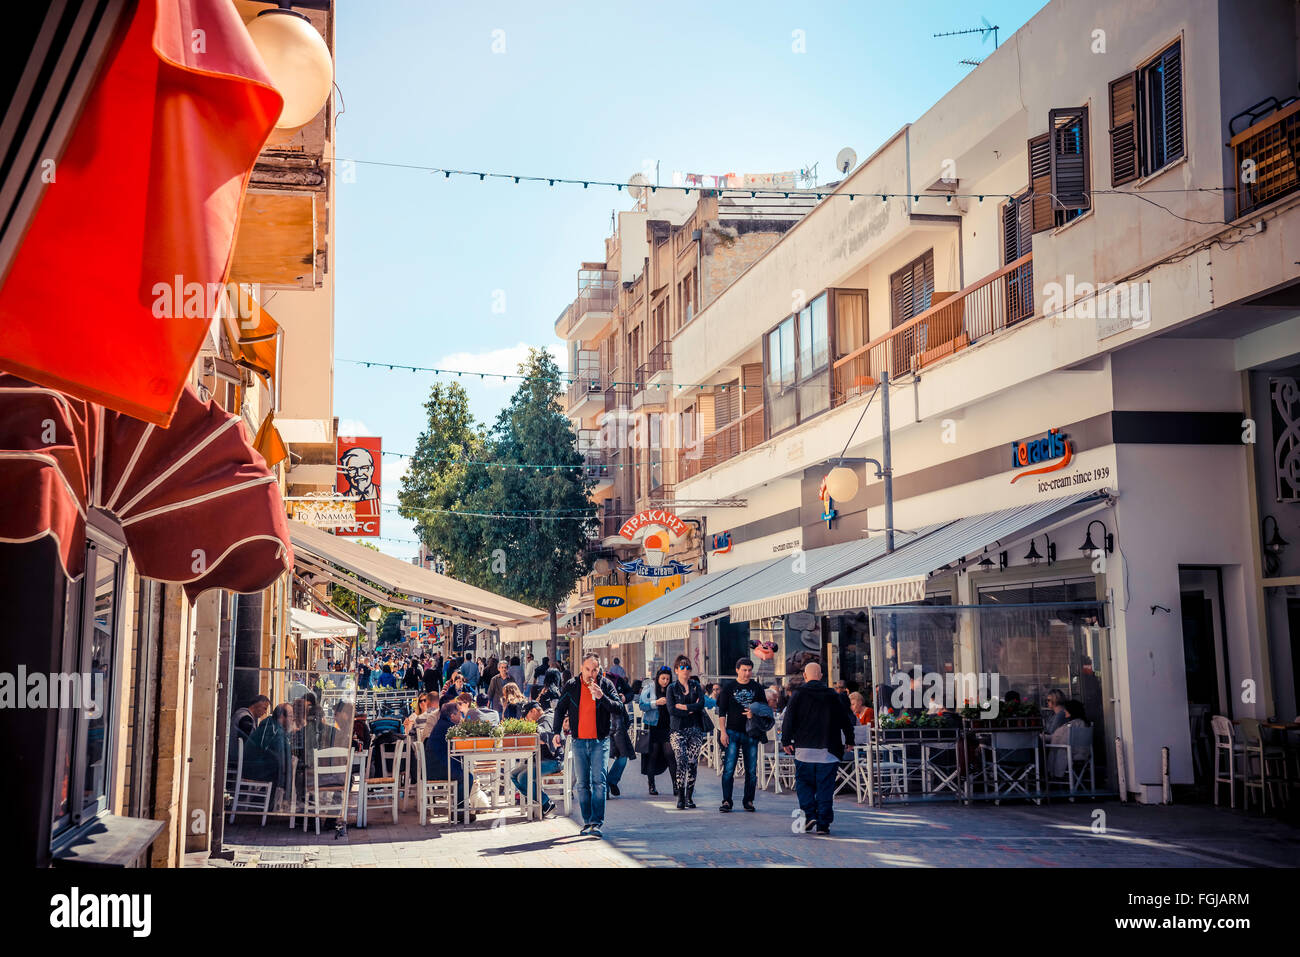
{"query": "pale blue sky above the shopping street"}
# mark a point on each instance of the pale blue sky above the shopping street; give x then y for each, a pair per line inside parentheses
(467, 275)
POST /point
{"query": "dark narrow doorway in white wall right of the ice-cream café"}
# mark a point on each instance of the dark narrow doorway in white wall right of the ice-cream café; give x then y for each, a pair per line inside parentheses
(1206, 661)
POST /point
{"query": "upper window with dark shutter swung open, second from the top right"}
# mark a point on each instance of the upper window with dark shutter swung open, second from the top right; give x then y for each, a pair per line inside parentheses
(1060, 176)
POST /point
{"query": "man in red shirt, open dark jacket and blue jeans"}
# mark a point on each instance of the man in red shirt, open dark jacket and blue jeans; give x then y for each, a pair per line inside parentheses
(590, 701)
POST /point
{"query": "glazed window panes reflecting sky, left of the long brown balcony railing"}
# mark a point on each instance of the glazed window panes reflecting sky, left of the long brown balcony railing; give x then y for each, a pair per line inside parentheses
(799, 357)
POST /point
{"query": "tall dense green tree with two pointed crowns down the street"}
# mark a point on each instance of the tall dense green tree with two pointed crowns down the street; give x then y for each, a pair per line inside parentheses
(535, 560)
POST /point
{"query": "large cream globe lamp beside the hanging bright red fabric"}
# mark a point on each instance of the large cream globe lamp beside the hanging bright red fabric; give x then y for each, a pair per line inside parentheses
(298, 62)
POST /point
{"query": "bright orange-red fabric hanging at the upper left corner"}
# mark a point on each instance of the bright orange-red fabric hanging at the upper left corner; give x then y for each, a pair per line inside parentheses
(112, 291)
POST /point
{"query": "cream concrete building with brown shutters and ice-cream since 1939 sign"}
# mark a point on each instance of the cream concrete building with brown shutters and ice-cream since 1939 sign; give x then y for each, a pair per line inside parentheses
(1059, 269)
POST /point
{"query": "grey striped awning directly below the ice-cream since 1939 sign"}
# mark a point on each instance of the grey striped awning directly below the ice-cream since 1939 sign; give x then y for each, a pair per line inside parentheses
(900, 577)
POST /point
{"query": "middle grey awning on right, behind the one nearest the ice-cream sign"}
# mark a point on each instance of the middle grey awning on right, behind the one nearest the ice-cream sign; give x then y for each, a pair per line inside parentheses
(785, 587)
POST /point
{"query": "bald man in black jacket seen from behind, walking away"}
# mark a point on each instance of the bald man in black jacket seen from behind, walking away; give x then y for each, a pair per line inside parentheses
(816, 730)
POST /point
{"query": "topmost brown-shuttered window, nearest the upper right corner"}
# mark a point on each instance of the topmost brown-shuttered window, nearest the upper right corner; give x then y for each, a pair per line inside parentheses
(1147, 118)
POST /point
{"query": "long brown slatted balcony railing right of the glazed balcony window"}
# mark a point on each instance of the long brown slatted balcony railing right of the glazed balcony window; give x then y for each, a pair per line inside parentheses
(993, 304)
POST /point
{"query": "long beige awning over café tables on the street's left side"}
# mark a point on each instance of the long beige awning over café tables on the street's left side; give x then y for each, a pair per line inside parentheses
(322, 552)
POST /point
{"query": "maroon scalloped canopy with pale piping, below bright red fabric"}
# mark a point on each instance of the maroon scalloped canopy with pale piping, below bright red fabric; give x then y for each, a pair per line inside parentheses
(197, 503)
